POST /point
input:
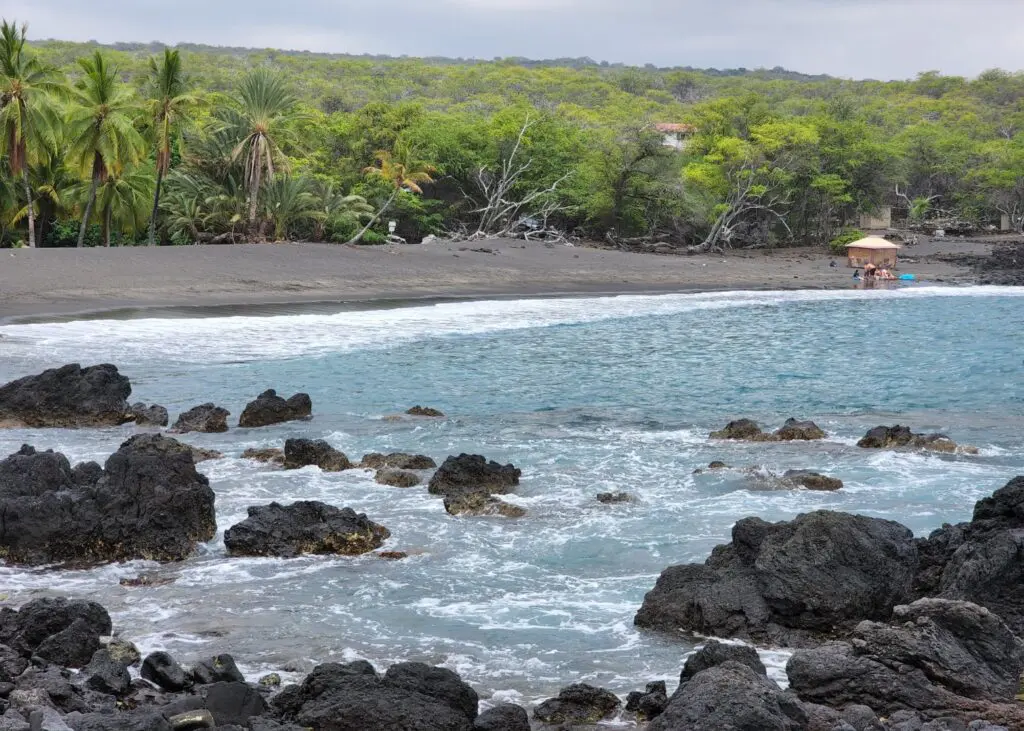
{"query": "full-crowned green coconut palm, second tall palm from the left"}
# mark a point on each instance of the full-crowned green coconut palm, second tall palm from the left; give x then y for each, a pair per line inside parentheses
(102, 128)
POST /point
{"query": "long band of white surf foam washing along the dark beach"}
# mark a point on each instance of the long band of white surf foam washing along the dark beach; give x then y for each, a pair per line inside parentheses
(234, 339)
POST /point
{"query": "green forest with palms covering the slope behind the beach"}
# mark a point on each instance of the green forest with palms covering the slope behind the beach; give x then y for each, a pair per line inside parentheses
(143, 145)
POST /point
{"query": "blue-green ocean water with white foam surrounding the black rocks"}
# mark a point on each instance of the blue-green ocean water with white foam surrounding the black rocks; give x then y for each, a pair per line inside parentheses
(586, 396)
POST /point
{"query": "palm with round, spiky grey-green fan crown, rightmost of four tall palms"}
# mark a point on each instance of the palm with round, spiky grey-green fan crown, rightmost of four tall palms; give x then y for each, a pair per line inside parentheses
(259, 124)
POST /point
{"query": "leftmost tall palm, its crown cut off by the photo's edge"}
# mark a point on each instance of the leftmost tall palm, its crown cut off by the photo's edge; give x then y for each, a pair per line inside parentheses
(27, 115)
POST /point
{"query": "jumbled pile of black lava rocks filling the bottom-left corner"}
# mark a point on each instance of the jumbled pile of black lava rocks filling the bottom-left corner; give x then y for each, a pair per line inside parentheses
(45, 695)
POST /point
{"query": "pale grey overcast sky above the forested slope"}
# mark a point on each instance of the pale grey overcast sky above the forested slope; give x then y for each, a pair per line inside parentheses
(884, 39)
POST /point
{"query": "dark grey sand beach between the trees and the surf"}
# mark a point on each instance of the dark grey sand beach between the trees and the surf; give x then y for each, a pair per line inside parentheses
(60, 283)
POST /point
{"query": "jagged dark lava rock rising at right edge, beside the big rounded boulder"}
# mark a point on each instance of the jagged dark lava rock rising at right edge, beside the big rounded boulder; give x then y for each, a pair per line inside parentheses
(982, 562)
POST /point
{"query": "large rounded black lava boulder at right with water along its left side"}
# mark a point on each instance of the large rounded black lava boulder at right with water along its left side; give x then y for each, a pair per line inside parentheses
(789, 583)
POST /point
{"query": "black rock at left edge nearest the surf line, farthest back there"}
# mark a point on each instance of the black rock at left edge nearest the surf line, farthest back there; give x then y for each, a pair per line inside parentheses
(70, 397)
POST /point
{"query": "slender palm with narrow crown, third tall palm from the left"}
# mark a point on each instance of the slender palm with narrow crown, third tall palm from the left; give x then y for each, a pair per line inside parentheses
(170, 106)
